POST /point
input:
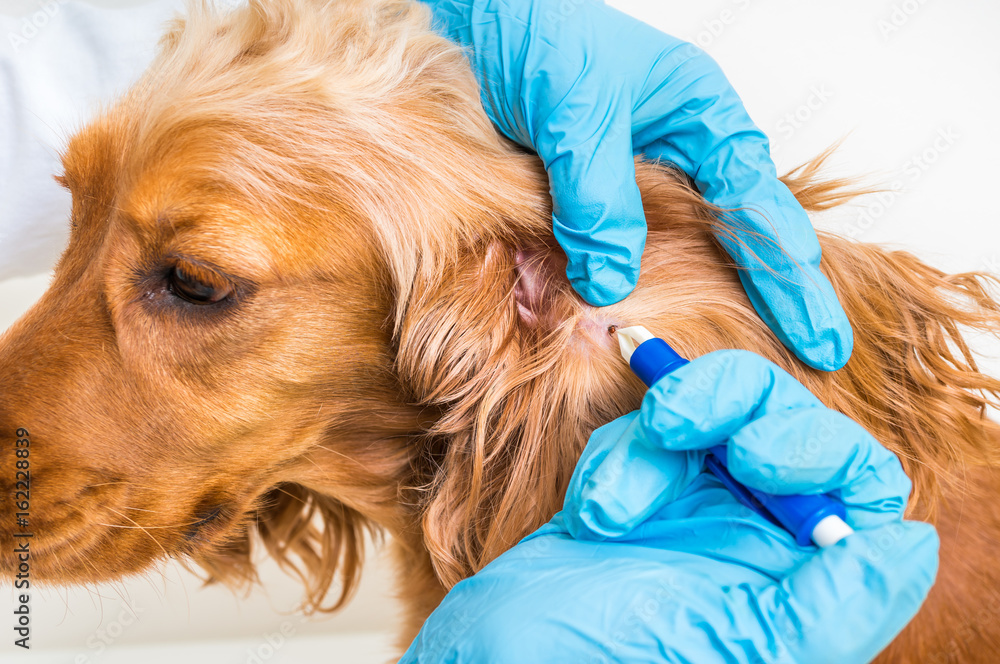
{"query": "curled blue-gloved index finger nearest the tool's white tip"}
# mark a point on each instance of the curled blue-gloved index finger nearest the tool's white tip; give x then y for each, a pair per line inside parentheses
(706, 401)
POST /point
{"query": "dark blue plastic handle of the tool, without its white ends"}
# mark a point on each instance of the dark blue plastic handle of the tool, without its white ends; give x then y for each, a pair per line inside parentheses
(652, 360)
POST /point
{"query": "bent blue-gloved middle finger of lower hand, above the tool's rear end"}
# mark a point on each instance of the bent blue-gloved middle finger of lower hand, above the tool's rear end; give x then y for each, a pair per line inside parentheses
(818, 450)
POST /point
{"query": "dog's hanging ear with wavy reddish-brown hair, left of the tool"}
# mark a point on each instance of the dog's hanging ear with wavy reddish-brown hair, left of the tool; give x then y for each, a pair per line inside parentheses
(513, 410)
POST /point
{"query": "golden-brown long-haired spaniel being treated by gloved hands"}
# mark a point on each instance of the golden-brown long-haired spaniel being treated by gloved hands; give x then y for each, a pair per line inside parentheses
(385, 335)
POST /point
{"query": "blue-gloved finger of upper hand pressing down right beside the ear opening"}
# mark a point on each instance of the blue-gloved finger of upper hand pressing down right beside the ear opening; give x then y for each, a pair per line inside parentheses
(582, 130)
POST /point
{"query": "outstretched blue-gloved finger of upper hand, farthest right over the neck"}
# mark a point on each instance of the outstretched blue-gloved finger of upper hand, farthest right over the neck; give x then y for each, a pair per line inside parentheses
(708, 134)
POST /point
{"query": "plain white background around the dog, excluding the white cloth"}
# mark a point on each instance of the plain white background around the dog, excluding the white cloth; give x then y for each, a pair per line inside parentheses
(892, 77)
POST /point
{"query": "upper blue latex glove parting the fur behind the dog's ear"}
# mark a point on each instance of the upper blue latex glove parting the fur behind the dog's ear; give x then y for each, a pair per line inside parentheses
(587, 87)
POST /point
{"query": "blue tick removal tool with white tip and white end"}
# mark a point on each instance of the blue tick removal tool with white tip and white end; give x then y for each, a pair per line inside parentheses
(816, 518)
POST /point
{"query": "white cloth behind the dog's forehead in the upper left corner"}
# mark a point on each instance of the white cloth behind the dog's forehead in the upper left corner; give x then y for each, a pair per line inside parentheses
(58, 66)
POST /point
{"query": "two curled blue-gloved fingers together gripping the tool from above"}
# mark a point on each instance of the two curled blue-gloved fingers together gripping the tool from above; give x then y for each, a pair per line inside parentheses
(779, 437)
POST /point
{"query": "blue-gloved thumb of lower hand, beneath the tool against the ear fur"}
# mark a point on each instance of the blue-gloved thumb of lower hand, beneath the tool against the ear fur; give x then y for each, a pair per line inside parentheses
(620, 481)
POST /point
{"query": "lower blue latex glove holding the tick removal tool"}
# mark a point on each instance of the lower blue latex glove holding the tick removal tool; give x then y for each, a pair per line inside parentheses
(652, 559)
